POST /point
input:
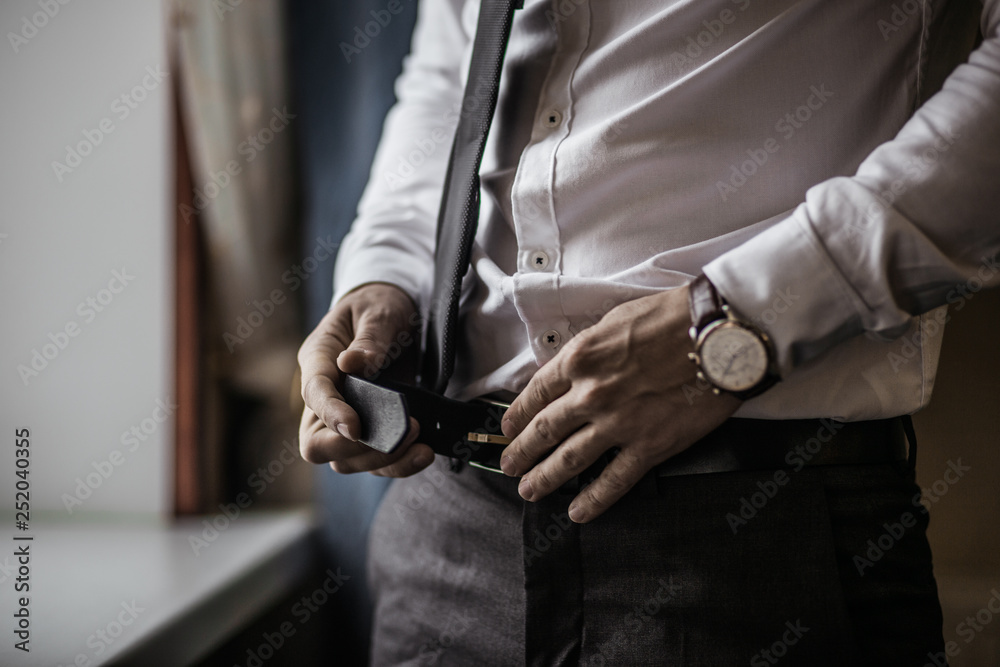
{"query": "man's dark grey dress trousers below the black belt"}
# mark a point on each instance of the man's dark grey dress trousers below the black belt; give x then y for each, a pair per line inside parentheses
(824, 566)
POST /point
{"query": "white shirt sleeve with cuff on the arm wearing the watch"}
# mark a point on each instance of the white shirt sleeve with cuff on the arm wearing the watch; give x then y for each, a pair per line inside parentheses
(917, 226)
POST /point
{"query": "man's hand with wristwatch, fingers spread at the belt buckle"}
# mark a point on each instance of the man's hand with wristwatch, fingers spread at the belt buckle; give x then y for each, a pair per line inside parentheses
(620, 383)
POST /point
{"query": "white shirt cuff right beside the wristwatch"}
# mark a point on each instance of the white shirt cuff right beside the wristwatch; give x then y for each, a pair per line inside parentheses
(785, 283)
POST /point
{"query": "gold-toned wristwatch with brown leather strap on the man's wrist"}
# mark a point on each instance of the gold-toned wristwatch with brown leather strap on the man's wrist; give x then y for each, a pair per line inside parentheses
(732, 355)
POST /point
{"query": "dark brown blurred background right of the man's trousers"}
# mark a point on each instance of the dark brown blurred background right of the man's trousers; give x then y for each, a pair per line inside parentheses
(962, 426)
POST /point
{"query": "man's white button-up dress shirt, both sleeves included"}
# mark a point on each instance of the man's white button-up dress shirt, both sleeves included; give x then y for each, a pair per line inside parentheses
(798, 152)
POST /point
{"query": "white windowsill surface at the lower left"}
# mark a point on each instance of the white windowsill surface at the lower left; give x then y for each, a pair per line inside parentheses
(83, 573)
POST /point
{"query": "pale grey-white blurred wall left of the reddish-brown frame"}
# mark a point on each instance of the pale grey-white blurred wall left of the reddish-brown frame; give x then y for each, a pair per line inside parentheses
(62, 241)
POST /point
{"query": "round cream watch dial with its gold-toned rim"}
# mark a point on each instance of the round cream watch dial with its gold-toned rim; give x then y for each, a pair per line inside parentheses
(733, 358)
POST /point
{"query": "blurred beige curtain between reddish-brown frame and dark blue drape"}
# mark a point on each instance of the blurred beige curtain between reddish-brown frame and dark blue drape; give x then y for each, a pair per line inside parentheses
(232, 82)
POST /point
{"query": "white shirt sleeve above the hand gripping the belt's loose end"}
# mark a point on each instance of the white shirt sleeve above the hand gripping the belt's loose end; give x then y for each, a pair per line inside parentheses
(392, 238)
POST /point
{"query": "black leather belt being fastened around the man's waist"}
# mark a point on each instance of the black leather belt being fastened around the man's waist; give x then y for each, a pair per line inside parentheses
(470, 432)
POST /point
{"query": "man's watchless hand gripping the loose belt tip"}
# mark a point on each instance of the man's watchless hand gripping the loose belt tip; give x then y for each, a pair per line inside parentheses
(370, 322)
